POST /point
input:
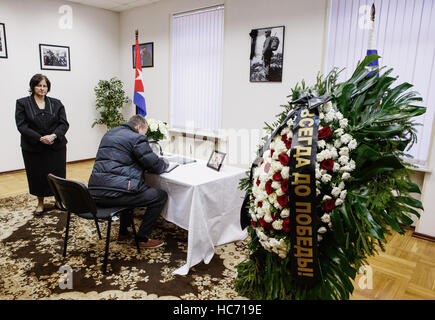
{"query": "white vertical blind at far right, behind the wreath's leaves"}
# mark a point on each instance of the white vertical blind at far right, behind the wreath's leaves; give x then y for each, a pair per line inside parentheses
(405, 34)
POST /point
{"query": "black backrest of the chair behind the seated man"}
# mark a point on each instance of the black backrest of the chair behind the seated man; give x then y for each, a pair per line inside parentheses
(73, 195)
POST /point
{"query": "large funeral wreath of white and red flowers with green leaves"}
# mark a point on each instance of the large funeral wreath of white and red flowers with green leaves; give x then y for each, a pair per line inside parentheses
(329, 183)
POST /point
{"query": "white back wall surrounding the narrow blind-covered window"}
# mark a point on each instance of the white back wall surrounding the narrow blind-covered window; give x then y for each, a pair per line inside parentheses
(246, 105)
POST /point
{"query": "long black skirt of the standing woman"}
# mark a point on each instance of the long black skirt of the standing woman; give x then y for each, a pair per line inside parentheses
(39, 165)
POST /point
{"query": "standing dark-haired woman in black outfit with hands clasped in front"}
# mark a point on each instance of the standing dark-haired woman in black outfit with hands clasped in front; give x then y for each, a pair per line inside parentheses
(42, 122)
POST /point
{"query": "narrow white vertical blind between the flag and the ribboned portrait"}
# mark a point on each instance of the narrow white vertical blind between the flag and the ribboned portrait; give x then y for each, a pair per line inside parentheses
(196, 69)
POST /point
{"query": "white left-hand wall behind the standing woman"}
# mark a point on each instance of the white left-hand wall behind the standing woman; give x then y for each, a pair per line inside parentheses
(93, 43)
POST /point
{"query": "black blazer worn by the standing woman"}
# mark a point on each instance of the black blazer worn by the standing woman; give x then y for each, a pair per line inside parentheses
(33, 123)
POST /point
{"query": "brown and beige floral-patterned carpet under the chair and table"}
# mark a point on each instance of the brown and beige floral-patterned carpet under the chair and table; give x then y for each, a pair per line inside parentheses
(31, 255)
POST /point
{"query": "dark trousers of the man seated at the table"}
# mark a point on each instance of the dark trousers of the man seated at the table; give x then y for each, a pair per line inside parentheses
(153, 199)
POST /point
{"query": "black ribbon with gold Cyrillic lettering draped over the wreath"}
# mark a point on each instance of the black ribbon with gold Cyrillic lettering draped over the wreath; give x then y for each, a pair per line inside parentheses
(302, 187)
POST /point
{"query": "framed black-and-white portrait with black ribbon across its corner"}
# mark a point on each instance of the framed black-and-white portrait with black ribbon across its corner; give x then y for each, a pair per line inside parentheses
(267, 48)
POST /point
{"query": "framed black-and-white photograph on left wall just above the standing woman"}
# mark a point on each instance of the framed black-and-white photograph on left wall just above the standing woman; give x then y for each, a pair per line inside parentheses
(53, 57)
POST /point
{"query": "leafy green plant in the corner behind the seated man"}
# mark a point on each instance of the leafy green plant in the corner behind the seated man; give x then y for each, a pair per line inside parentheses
(110, 98)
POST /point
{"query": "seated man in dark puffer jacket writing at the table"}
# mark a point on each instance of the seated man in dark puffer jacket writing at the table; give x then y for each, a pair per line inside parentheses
(117, 178)
